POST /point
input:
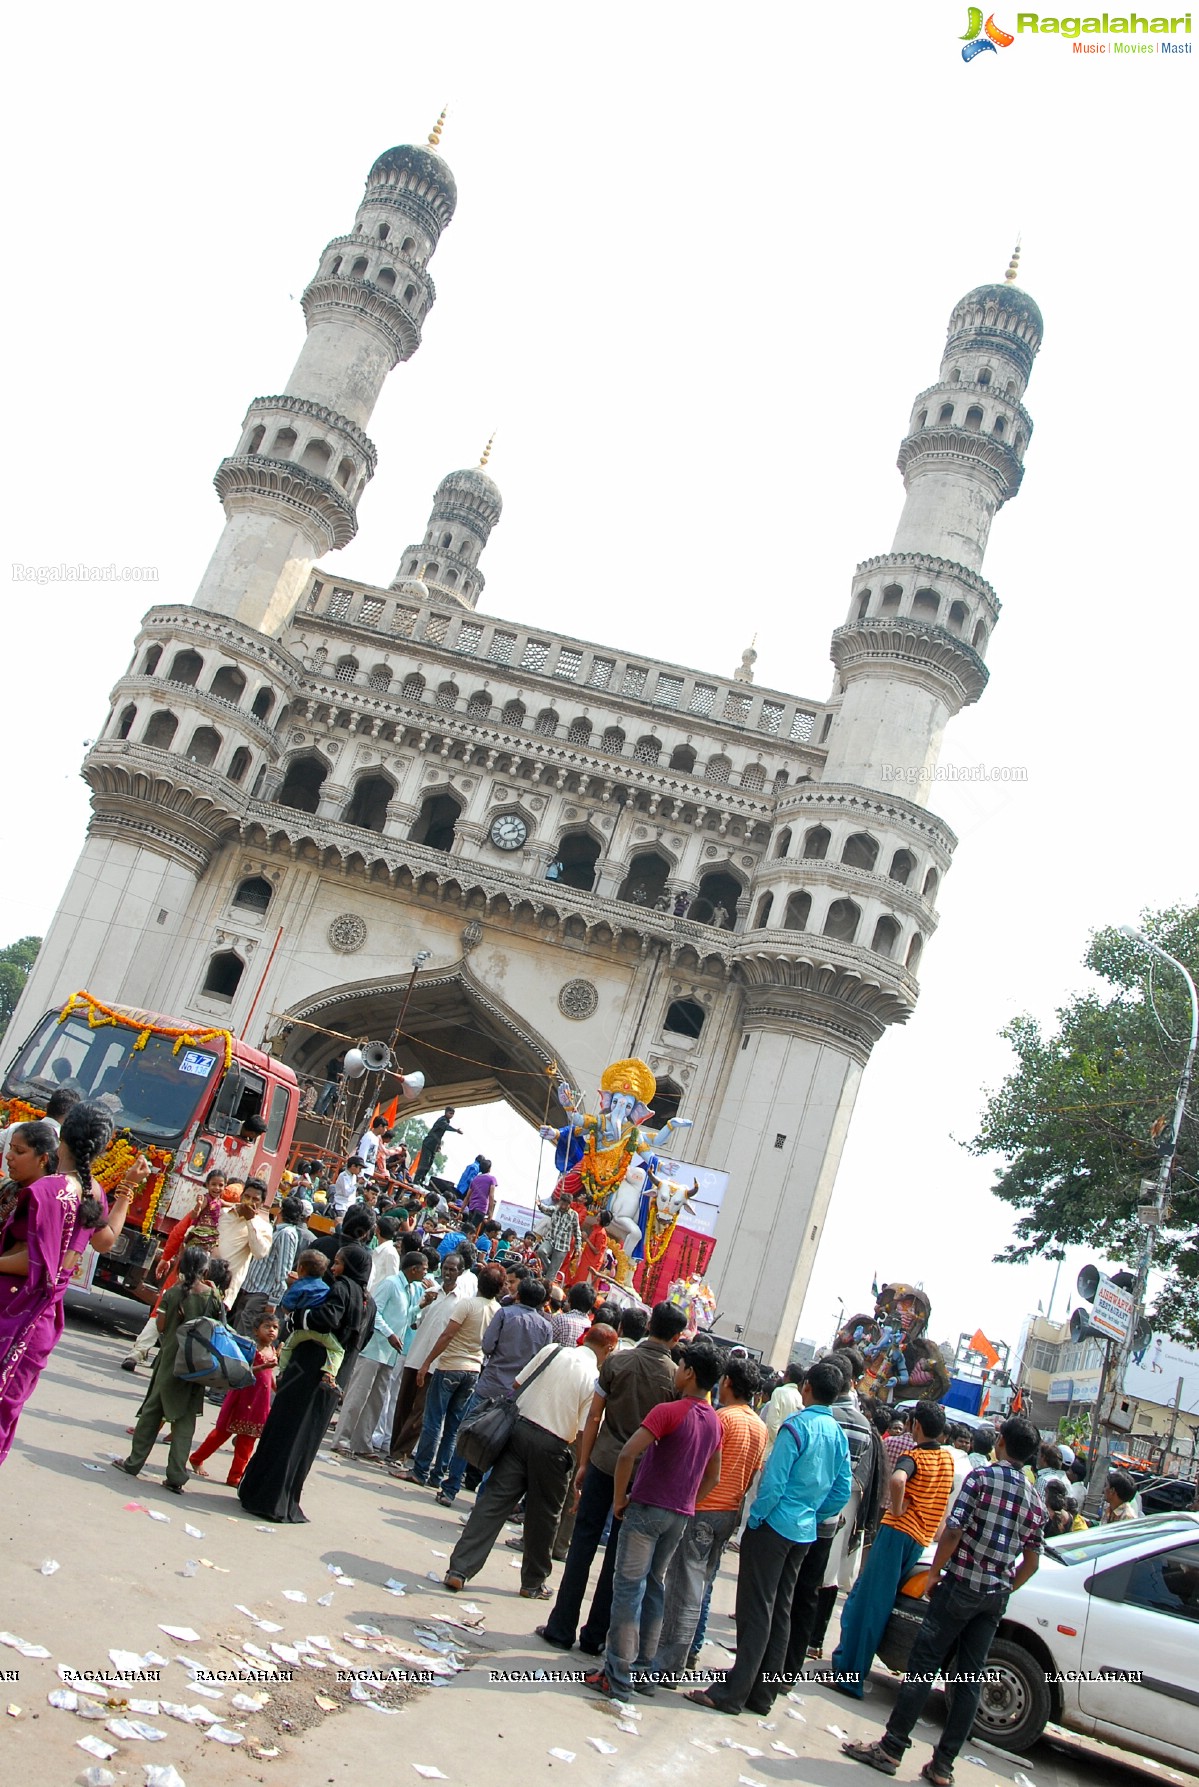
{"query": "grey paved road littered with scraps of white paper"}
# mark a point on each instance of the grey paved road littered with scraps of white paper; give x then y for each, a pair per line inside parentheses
(124, 1573)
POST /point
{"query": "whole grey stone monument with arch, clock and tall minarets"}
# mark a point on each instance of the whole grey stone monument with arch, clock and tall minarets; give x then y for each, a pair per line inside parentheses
(306, 782)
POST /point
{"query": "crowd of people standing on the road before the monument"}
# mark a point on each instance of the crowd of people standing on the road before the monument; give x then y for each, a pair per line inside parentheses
(448, 1352)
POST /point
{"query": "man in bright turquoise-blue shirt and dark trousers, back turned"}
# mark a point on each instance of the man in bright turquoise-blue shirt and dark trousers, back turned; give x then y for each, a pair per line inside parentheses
(807, 1481)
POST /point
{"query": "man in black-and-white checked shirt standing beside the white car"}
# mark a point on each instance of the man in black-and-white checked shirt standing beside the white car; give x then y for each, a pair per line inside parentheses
(989, 1548)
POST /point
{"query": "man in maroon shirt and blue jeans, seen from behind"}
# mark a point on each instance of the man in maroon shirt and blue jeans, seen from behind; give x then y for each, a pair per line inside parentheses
(678, 1457)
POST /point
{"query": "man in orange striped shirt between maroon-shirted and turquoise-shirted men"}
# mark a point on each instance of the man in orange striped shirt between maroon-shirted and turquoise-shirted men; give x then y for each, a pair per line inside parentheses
(717, 1518)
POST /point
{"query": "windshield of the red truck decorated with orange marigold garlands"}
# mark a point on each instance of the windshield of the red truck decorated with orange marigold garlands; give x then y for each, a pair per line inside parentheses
(151, 1091)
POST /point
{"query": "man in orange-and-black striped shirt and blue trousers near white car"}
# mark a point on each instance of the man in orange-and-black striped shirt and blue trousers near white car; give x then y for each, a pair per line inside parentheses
(919, 1497)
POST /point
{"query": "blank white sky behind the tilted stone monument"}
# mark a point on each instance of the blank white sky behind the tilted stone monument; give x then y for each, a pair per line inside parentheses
(703, 262)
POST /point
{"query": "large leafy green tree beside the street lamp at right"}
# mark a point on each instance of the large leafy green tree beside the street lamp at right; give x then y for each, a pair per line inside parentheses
(1086, 1116)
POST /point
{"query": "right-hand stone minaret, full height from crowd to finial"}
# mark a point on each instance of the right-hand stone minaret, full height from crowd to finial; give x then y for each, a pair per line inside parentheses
(860, 860)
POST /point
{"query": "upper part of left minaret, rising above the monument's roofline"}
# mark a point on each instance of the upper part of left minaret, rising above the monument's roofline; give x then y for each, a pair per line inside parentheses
(294, 482)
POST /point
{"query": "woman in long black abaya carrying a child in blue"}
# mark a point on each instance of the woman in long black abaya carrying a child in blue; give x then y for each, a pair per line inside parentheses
(306, 1400)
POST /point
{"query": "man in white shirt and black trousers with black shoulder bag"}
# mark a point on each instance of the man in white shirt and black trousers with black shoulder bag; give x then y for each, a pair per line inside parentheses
(537, 1463)
